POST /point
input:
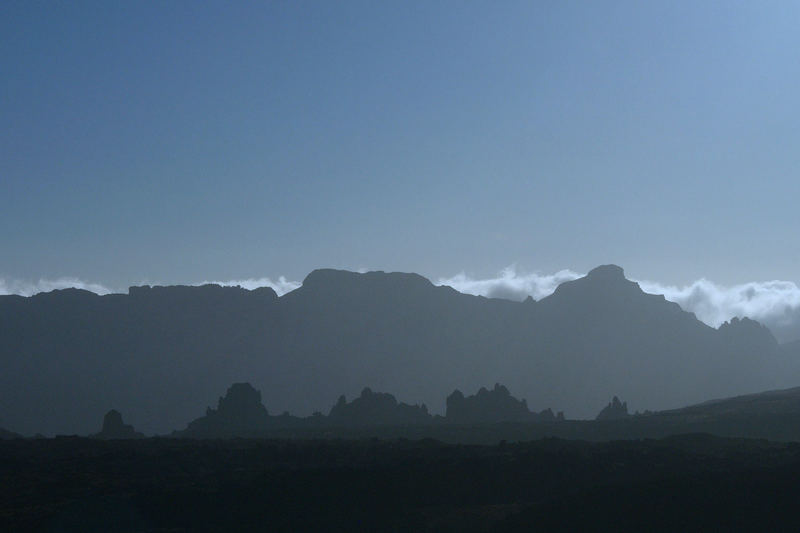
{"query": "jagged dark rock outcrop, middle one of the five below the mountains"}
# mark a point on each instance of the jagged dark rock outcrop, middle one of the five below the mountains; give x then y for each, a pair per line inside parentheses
(377, 409)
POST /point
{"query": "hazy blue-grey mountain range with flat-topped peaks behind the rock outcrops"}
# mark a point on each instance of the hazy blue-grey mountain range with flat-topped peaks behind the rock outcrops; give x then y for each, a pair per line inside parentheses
(158, 353)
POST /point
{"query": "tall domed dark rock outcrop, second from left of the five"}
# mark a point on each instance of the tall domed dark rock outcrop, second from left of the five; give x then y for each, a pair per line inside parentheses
(239, 413)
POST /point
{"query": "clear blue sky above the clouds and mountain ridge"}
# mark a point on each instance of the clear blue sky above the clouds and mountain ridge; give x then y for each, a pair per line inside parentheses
(178, 142)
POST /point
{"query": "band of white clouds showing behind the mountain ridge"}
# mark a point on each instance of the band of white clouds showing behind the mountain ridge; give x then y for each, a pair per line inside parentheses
(773, 303)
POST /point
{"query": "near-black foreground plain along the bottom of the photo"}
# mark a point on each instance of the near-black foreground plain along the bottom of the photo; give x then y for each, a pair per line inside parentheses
(686, 483)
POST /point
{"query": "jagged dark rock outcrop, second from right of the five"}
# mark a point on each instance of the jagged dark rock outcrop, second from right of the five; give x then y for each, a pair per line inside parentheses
(492, 406)
